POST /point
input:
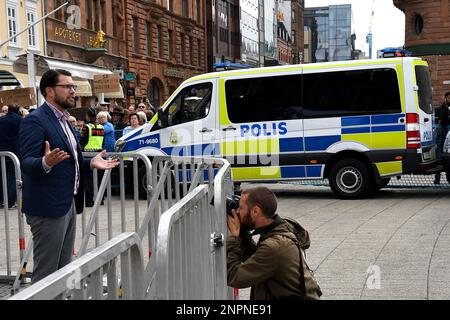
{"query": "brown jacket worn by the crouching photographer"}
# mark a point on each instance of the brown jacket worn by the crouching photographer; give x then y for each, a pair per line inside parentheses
(271, 268)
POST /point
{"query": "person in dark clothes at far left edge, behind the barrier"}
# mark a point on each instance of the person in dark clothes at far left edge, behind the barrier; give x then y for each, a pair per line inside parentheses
(9, 141)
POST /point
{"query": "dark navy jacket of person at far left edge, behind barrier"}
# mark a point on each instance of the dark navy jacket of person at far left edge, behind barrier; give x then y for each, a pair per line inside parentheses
(9, 133)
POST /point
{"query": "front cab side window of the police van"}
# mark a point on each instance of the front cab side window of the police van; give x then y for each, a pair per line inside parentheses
(192, 103)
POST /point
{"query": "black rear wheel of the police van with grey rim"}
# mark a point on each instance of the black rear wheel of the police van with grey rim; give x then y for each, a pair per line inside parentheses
(350, 178)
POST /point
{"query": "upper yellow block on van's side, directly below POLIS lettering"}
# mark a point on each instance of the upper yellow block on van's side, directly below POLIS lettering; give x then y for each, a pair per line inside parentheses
(247, 147)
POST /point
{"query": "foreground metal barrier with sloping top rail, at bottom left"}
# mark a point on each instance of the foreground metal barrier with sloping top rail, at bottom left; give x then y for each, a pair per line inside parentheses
(83, 278)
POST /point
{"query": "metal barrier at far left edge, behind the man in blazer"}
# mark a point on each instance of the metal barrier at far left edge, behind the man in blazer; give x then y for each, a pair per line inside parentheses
(10, 161)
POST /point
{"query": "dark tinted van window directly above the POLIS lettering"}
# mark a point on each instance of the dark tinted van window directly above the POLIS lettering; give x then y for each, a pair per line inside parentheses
(264, 99)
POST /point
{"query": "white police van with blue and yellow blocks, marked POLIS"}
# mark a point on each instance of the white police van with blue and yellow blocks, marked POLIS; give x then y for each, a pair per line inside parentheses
(356, 123)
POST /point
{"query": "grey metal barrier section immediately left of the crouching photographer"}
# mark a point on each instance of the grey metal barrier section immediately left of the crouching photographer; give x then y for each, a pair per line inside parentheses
(184, 247)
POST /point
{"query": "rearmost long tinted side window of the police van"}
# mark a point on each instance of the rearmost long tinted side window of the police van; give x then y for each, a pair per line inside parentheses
(347, 93)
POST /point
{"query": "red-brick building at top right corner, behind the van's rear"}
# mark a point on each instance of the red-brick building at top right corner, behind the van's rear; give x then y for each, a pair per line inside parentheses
(427, 35)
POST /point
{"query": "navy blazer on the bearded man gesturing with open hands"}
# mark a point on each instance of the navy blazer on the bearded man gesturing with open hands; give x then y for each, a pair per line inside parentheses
(48, 194)
